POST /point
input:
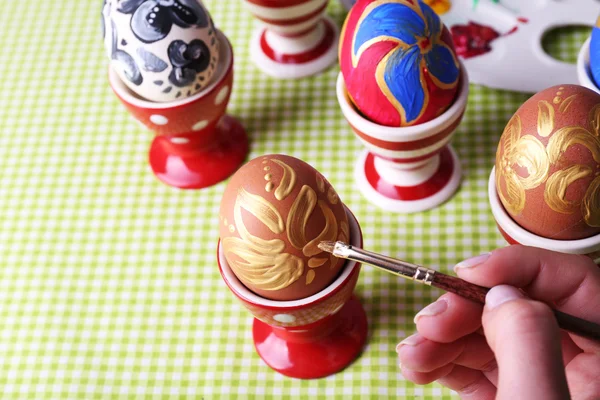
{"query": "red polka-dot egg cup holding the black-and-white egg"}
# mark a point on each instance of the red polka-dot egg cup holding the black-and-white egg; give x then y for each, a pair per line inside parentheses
(196, 144)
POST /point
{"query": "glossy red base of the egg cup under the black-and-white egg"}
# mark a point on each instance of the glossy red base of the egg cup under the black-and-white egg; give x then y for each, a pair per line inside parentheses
(186, 163)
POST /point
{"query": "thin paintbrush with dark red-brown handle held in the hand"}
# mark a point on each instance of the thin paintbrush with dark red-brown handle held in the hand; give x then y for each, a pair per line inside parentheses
(448, 283)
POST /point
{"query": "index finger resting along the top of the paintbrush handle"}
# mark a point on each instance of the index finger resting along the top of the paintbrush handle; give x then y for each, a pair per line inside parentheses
(569, 282)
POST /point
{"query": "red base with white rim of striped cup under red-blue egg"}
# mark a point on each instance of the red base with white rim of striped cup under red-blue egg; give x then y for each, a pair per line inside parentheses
(435, 189)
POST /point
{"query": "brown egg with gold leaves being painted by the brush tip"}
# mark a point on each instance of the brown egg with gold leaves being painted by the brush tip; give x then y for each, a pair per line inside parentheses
(275, 210)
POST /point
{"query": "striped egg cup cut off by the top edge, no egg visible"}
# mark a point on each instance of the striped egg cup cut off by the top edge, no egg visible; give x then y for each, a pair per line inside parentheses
(297, 39)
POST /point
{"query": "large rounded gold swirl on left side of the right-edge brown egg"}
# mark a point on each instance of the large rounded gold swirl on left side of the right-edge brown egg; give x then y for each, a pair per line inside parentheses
(530, 153)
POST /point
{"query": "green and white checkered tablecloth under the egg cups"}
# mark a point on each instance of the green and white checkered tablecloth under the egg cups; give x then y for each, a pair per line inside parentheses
(109, 285)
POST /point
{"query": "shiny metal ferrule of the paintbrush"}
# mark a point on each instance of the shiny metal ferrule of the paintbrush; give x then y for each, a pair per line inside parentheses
(396, 267)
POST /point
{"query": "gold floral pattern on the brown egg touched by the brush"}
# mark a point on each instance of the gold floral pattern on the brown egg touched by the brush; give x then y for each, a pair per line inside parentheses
(265, 263)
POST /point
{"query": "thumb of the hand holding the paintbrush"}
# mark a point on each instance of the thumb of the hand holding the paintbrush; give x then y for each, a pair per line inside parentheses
(525, 338)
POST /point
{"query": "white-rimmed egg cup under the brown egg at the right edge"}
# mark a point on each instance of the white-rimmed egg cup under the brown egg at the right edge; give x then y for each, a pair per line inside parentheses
(515, 234)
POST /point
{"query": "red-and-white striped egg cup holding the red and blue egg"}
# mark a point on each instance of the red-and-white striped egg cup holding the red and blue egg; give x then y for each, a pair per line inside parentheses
(407, 169)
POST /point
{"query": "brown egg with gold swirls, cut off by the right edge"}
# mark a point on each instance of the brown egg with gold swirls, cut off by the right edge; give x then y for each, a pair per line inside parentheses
(548, 164)
